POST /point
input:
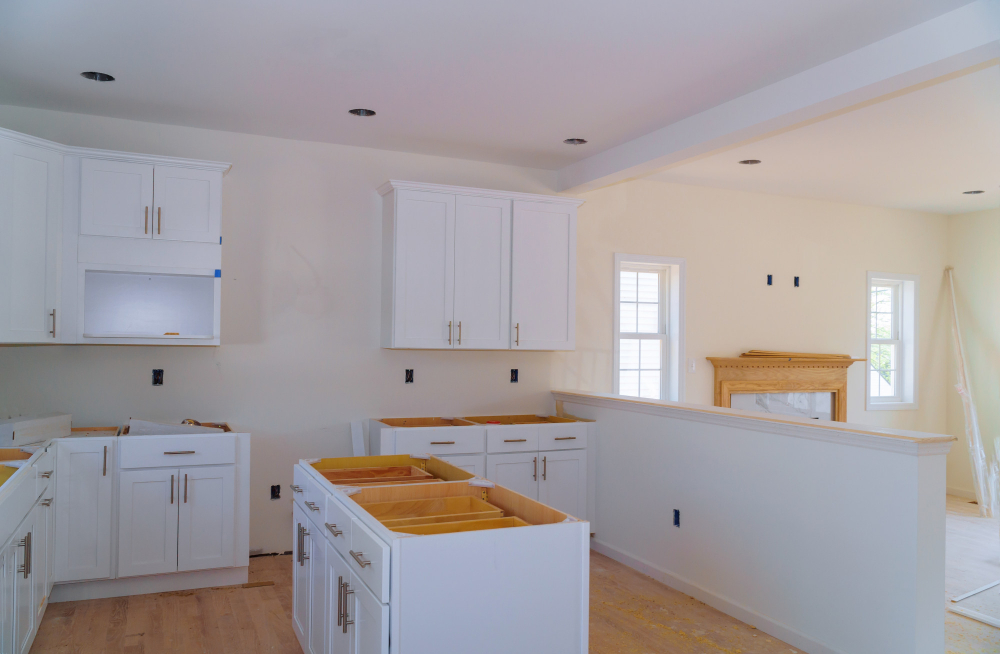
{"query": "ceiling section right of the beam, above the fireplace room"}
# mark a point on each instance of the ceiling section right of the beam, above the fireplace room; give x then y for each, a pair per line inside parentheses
(917, 150)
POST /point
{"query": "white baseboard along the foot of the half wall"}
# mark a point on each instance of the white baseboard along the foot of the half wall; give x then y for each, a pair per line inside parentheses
(738, 611)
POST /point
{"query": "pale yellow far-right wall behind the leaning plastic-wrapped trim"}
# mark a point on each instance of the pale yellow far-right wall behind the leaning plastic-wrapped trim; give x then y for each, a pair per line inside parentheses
(974, 251)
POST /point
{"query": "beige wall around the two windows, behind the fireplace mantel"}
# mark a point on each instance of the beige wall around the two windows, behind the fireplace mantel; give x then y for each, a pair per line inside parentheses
(732, 240)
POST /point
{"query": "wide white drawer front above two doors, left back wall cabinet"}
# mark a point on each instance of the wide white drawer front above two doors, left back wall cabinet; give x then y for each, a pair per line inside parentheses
(178, 451)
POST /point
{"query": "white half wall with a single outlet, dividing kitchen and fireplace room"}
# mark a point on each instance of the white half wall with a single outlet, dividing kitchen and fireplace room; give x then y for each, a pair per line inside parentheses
(831, 541)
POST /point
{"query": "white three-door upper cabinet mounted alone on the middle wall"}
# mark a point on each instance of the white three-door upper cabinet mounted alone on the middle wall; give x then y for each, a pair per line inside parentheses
(466, 268)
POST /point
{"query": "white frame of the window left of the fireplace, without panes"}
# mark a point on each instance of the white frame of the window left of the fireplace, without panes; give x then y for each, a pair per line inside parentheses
(672, 351)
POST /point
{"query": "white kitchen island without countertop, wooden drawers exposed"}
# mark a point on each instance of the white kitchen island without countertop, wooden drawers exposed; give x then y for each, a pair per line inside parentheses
(405, 558)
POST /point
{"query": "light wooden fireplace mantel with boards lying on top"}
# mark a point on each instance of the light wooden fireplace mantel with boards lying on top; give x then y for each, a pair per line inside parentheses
(783, 372)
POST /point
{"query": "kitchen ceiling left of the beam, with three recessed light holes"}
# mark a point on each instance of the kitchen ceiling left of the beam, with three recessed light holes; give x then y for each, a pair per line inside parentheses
(496, 81)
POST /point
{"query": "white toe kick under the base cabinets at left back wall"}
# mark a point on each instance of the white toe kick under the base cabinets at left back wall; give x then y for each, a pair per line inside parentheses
(102, 588)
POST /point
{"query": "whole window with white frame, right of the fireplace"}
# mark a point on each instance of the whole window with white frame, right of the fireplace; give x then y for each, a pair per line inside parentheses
(891, 341)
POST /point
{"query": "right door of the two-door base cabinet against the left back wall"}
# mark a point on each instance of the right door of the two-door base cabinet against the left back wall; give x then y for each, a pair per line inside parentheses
(207, 517)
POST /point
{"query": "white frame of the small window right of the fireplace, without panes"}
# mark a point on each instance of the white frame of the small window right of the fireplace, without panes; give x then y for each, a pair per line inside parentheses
(906, 339)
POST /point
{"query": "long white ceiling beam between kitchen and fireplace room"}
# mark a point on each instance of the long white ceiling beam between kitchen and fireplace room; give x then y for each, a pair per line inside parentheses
(949, 43)
